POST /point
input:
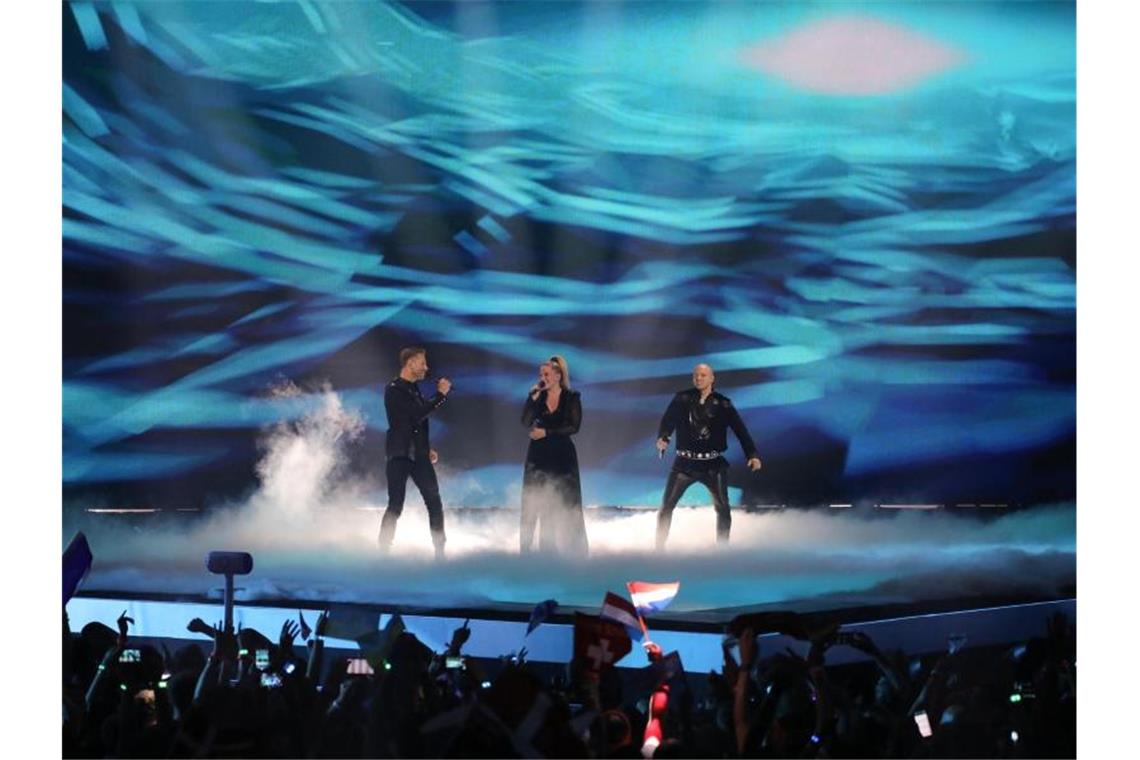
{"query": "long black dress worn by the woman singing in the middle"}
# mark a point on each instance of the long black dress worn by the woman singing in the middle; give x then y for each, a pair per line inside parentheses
(551, 486)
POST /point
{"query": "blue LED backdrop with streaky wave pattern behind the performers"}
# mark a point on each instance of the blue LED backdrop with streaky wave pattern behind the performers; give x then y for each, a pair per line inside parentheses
(862, 216)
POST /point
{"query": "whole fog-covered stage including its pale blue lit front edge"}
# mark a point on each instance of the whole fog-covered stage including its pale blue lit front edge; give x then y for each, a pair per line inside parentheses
(909, 577)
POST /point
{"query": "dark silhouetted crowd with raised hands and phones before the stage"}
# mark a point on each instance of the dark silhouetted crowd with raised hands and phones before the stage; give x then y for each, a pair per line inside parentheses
(245, 696)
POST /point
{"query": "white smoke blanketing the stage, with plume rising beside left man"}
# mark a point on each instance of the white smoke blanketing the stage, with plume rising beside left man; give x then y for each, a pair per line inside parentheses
(313, 529)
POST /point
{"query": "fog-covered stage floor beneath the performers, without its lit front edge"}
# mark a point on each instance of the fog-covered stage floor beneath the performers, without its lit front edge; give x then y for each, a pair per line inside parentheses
(800, 560)
